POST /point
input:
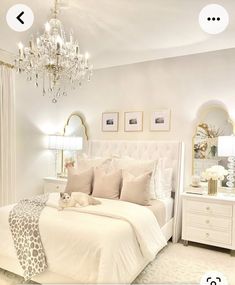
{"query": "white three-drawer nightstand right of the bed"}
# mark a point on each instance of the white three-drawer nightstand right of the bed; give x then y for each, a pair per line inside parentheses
(209, 219)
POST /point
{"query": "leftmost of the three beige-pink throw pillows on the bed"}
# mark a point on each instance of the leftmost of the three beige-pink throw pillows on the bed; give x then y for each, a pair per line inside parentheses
(79, 181)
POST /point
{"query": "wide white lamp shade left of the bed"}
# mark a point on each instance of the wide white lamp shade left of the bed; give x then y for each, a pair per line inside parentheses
(64, 143)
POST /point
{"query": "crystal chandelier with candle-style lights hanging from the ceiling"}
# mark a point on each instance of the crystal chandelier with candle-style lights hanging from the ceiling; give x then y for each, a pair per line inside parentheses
(54, 60)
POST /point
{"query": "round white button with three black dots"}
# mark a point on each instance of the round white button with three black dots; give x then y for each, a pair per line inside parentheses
(213, 19)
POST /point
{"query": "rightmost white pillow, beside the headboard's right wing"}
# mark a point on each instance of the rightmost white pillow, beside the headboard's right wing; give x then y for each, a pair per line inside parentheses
(163, 180)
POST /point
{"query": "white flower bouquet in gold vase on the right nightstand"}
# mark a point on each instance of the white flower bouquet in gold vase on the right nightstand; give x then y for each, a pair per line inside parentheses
(213, 175)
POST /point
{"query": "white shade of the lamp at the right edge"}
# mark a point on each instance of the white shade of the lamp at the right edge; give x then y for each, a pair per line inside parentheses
(226, 146)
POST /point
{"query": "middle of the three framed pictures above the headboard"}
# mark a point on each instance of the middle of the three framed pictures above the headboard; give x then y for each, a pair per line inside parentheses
(133, 121)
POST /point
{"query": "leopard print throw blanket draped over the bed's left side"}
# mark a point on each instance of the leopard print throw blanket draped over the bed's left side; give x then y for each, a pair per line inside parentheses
(24, 225)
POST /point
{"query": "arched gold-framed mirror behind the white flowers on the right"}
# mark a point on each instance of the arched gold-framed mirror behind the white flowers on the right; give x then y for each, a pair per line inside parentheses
(212, 122)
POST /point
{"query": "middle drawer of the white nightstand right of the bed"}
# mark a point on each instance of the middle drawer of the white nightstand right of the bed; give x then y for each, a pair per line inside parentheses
(209, 222)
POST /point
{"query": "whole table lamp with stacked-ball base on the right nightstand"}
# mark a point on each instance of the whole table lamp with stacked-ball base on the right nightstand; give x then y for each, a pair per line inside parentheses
(226, 148)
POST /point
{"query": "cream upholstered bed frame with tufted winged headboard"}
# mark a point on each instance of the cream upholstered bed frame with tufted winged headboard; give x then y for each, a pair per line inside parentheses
(174, 151)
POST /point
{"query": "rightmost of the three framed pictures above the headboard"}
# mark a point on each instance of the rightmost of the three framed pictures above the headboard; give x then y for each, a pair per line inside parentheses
(160, 120)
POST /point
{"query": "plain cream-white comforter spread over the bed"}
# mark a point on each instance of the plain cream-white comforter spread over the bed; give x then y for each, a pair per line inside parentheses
(107, 243)
